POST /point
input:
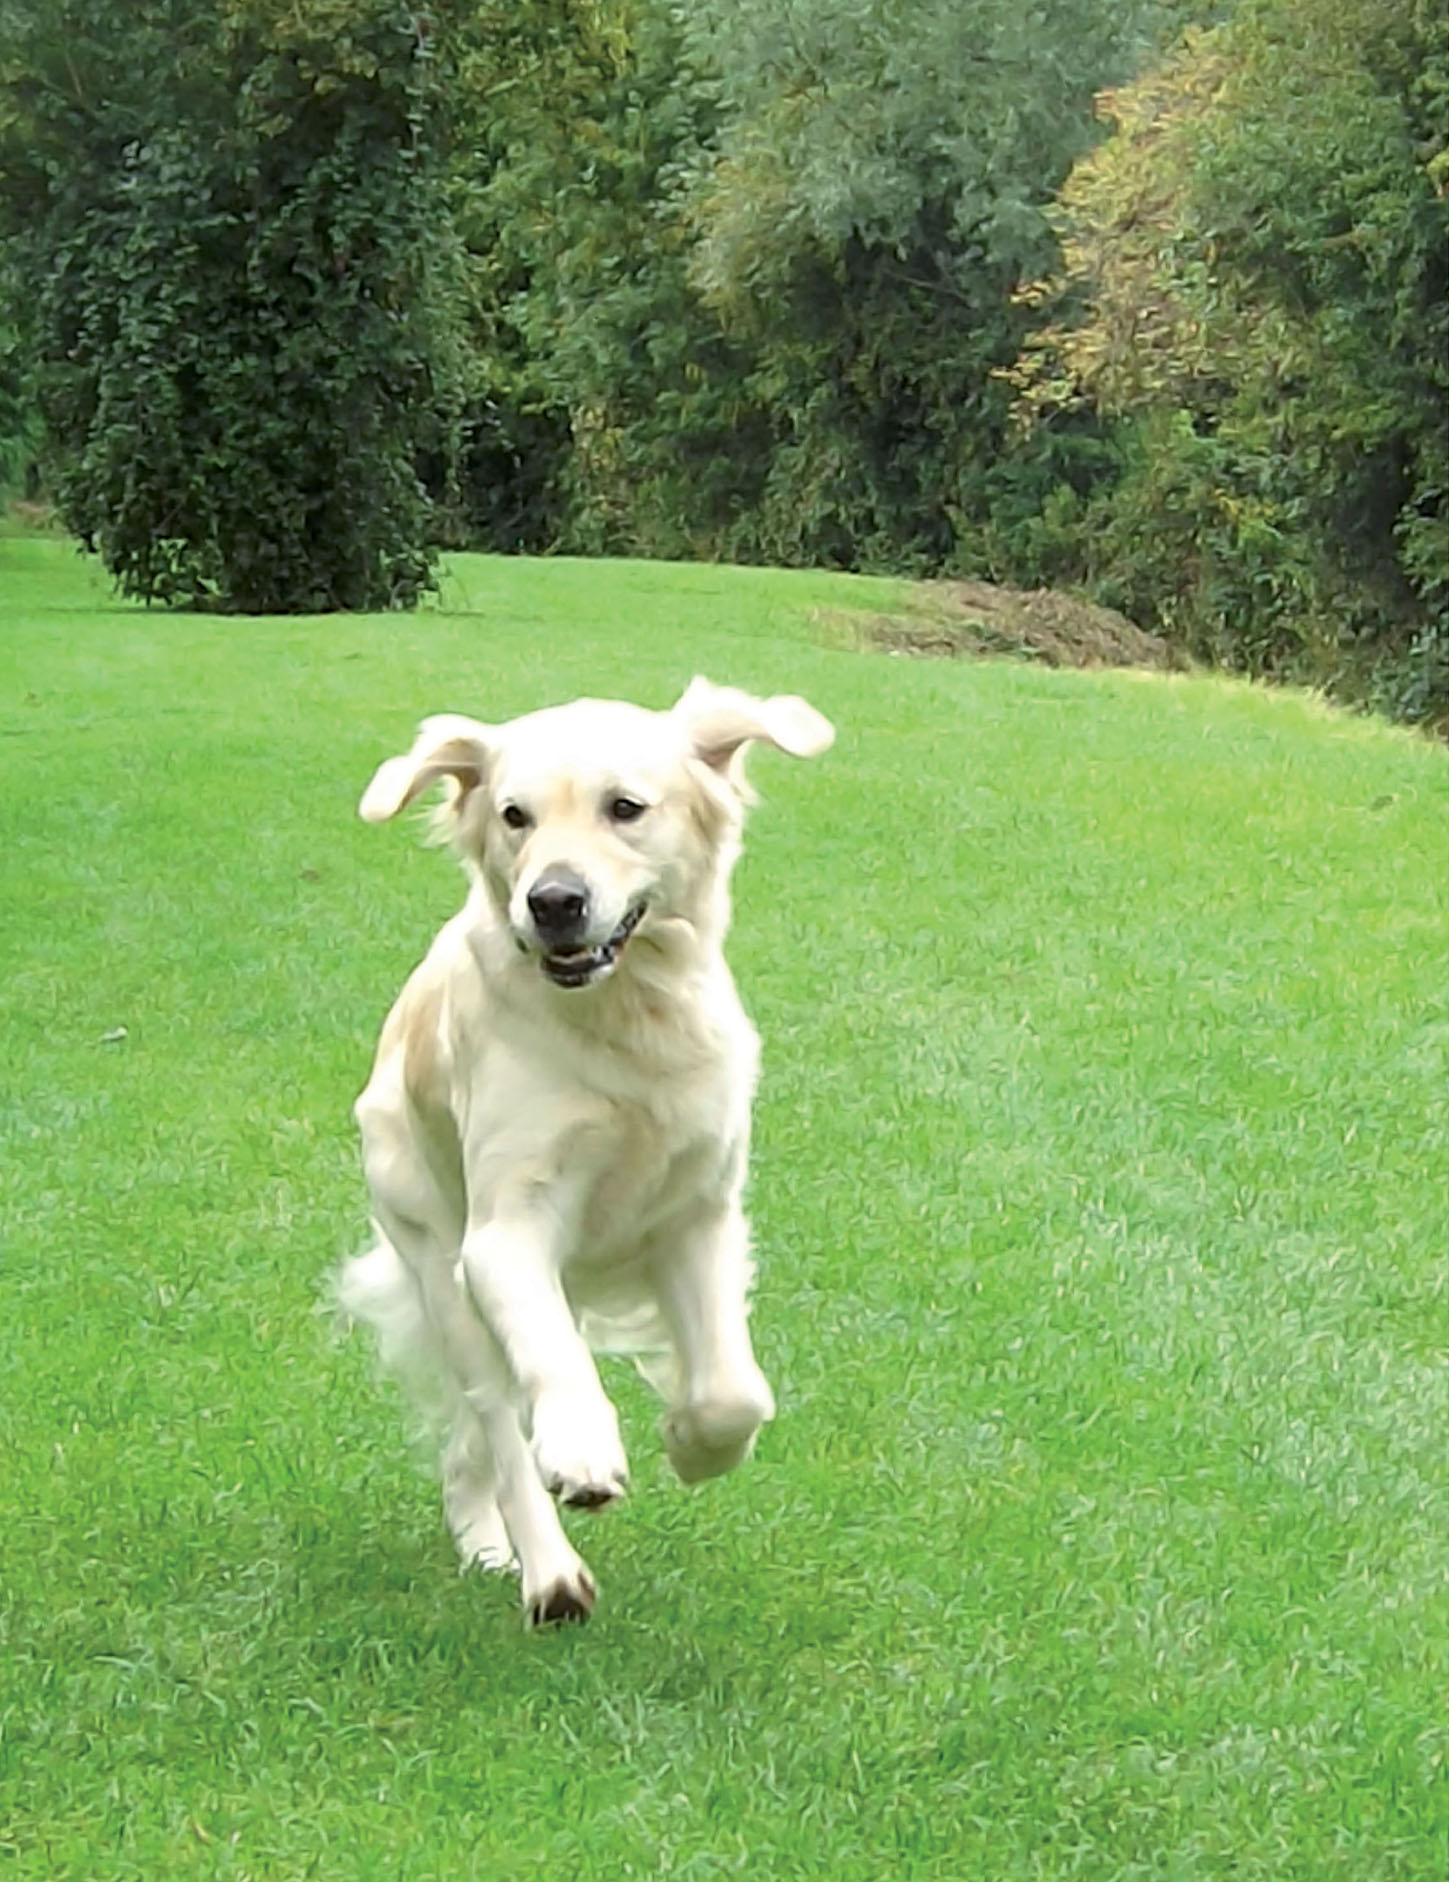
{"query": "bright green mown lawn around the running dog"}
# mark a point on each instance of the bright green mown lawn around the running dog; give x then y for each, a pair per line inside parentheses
(1102, 1207)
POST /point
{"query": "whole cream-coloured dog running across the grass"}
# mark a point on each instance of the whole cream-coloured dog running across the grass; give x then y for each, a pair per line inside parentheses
(556, 1126)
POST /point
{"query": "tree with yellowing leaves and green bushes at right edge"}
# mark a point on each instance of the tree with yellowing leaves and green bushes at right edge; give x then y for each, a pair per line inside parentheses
(1254, 291)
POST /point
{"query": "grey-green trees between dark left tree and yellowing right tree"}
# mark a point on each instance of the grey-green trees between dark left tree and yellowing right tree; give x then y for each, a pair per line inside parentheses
(757, 261)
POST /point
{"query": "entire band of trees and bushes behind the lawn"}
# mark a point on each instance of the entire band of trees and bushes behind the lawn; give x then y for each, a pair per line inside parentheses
(304, 289)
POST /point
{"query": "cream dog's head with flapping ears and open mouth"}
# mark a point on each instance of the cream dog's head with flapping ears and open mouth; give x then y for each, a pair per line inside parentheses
(599, 825)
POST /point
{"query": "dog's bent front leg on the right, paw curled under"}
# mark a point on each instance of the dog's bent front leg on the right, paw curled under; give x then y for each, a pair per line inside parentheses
(722, 1396)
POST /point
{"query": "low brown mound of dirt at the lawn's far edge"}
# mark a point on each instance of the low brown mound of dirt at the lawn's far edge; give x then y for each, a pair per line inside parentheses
(976, 620)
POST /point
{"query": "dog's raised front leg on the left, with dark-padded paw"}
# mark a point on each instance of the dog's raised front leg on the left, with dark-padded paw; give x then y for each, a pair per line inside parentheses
(513, 1273)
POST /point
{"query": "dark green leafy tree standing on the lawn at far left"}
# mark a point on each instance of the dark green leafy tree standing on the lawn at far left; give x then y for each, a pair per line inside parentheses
(242, 317)
